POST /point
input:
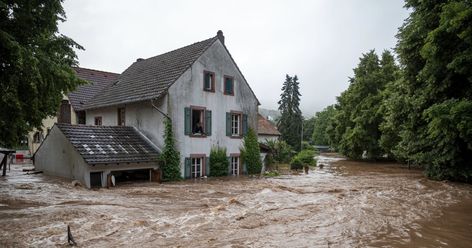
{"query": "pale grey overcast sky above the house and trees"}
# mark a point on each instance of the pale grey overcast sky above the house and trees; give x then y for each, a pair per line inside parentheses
(320, 41)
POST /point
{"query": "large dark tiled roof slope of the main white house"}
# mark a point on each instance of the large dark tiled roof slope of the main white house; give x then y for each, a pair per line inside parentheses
(149, 78)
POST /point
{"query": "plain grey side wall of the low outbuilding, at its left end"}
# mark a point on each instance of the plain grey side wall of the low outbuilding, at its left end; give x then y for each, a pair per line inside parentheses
(58, 157)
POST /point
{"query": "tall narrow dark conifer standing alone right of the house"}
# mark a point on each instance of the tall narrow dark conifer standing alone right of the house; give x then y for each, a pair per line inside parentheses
(291, 119)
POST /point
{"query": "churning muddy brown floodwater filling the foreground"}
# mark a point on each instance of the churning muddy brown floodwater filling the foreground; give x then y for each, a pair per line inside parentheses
(344, 204)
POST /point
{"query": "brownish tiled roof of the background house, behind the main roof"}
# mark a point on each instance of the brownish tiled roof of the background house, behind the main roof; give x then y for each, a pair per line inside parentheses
(98, 80)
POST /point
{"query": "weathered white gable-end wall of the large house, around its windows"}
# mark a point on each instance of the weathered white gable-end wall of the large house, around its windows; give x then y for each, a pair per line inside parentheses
(188, 91)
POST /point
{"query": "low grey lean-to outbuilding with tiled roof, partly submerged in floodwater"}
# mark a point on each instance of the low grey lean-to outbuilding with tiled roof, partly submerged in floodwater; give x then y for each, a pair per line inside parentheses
(98, 156)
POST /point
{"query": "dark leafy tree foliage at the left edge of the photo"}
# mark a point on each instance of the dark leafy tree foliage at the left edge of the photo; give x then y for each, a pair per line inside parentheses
(35, 65)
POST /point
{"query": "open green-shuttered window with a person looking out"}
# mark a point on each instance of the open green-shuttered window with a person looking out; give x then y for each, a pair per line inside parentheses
(197, 122)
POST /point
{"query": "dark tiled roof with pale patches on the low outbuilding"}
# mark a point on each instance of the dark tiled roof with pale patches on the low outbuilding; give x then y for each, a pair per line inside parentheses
(109, 144)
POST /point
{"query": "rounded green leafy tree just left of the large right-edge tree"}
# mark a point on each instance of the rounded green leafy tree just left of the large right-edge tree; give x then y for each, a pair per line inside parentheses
(359, 114)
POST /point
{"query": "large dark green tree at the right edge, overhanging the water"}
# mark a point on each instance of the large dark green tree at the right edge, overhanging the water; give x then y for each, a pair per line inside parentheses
(435, 50)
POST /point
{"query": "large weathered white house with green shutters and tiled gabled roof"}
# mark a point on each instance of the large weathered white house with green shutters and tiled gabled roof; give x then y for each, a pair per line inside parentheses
(199, 87)
